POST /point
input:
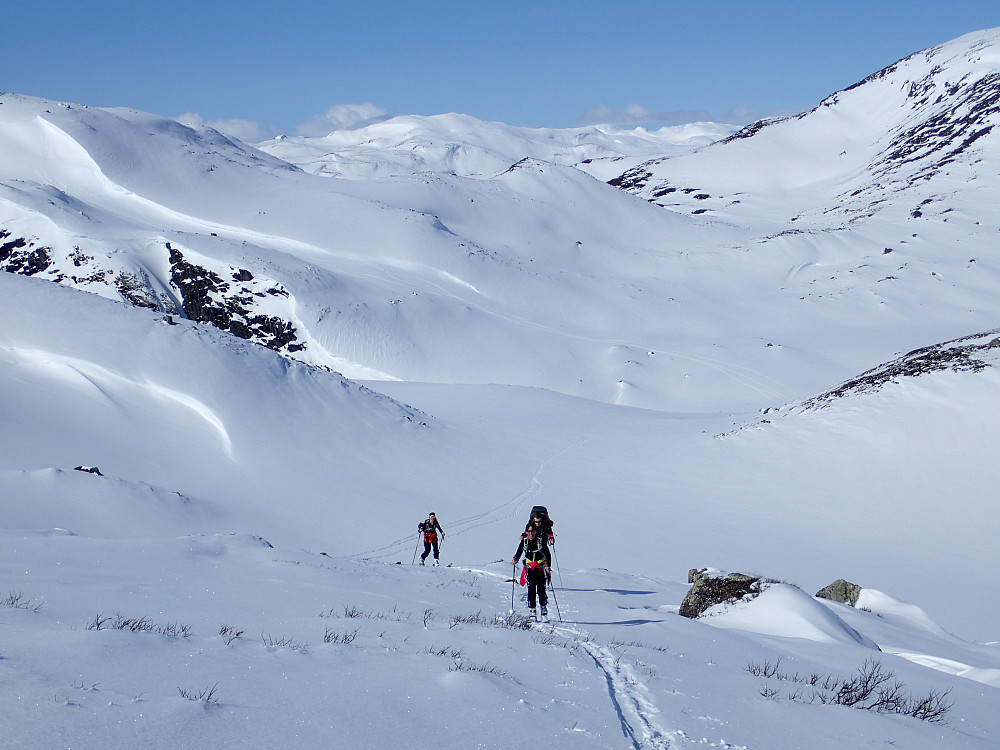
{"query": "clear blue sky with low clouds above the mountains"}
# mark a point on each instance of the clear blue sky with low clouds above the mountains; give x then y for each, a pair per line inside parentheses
(304, 66)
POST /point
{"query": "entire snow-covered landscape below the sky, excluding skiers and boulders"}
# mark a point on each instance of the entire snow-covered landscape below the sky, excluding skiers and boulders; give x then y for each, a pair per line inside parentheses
(771, 351)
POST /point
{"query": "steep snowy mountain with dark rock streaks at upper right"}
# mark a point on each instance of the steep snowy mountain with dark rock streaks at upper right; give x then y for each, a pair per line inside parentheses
(857, 150)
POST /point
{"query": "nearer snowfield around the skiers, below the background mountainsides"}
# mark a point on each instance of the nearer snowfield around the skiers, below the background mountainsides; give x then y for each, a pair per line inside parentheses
(209, 445)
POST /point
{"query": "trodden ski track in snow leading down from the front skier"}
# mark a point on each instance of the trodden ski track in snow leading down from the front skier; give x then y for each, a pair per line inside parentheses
(635, 711)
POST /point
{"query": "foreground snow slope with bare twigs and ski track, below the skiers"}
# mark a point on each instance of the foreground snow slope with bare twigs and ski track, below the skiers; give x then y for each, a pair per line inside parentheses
(359, 654)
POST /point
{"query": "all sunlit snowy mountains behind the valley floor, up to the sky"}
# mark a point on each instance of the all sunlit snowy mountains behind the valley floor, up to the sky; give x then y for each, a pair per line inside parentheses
(791, 255)
